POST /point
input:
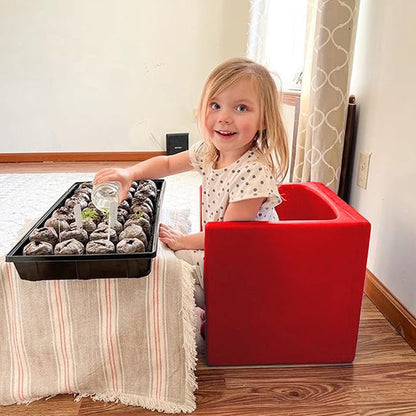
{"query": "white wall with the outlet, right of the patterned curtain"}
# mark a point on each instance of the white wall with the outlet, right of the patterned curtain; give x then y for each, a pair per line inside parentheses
(384, 82)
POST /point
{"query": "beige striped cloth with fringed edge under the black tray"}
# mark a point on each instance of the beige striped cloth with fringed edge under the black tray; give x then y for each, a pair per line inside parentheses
(125, 340)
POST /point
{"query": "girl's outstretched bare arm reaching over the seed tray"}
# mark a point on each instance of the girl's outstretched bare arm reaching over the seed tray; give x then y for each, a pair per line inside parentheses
(155, 167)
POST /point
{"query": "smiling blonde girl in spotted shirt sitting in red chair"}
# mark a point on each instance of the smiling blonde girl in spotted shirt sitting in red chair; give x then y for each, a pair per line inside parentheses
(242, 156)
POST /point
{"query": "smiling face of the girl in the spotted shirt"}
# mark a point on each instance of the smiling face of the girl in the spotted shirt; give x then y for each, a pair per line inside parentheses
(233, 119)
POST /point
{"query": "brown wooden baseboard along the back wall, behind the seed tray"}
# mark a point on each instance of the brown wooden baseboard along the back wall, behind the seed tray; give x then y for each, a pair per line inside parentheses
(77, 157)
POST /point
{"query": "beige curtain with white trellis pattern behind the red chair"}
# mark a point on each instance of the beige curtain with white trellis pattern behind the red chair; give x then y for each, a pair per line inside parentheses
(330, 37)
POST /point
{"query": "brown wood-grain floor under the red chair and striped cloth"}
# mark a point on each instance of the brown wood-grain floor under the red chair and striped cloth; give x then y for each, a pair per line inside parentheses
(381, 381)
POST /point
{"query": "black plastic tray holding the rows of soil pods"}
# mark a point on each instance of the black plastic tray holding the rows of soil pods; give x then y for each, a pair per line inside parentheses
(86, 266)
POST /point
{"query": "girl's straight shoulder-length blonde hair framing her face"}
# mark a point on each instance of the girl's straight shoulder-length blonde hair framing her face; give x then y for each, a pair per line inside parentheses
(271, 140)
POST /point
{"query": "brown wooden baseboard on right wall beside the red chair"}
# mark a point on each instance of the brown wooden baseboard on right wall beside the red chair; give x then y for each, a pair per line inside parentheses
(393, 310)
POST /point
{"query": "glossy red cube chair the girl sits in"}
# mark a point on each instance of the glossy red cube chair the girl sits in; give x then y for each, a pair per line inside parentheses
(287, 292)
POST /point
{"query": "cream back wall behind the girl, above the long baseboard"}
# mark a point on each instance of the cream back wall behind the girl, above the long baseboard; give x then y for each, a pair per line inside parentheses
(101, 75)
